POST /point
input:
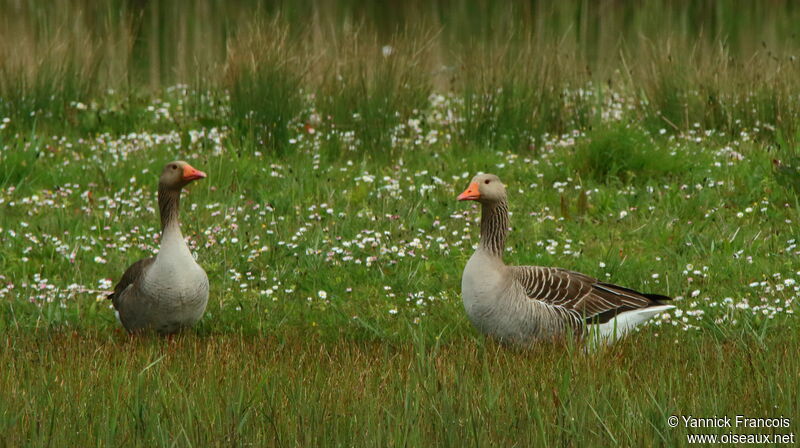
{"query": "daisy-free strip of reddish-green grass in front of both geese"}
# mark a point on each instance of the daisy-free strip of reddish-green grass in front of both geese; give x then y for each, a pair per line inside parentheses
(229, 389)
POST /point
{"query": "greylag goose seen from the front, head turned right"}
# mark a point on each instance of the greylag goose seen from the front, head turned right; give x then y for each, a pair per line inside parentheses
(169, 291)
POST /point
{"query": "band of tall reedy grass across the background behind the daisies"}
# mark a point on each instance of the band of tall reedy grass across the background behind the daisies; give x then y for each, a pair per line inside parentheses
(519, 68)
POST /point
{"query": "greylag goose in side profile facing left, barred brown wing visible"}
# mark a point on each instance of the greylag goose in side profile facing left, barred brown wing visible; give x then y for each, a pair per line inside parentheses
(525, 304)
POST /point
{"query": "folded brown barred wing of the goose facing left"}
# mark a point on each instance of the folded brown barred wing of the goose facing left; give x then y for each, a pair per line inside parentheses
(594, 300)
